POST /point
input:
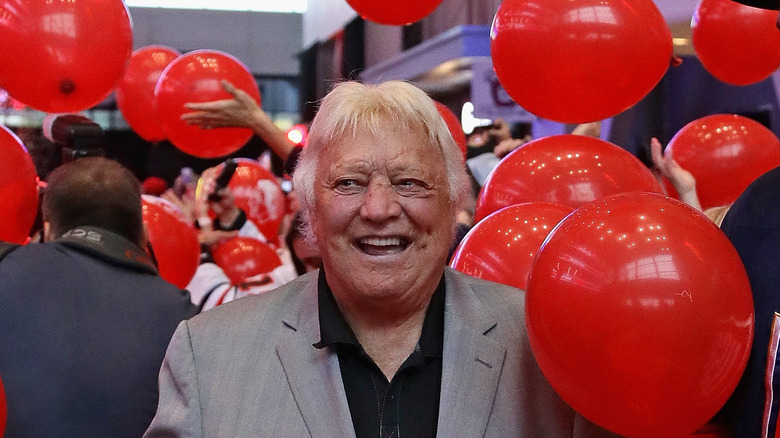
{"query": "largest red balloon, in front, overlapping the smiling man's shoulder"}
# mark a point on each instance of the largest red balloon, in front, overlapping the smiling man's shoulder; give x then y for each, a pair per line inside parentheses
(640, 315)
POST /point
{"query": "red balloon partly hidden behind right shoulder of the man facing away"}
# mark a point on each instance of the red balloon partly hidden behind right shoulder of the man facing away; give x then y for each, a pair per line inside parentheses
(173, 239)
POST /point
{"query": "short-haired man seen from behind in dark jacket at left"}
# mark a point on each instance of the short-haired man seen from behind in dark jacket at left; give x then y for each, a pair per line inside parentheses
(85, 318)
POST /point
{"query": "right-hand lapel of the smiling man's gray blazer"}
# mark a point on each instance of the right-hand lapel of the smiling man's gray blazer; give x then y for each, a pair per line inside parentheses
(472, 362)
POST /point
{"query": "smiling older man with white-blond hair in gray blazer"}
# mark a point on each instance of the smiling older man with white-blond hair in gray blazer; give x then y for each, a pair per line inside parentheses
(384, 340)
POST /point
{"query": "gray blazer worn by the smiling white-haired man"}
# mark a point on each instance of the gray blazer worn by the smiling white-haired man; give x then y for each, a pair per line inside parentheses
(248, 369)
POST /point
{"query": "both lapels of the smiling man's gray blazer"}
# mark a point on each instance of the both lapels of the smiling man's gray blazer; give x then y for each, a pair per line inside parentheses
(470, 372)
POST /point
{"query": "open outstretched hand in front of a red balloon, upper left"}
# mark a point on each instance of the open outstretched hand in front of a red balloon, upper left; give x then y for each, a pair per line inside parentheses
(239, 111)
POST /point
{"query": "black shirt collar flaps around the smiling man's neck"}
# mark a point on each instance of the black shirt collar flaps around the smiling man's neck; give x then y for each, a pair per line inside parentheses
(335, 330)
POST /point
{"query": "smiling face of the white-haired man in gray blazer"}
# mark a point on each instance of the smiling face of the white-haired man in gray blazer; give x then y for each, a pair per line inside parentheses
(382, 217)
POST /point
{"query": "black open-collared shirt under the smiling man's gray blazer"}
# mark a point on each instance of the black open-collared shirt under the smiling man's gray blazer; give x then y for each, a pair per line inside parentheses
(407, 406)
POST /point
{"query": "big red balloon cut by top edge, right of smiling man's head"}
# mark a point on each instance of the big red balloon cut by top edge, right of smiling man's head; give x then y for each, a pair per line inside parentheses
(579, 61)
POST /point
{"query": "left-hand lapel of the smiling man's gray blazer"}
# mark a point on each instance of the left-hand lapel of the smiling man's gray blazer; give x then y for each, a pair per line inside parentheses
(314, 374)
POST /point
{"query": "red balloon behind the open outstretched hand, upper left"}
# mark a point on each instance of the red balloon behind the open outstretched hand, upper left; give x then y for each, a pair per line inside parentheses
(196, 77)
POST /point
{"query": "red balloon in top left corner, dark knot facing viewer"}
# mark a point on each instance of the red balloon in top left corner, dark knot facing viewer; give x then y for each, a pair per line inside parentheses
(63, 56)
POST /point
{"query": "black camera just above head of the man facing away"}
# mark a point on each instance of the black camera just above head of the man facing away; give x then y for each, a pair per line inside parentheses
(77, 136)
